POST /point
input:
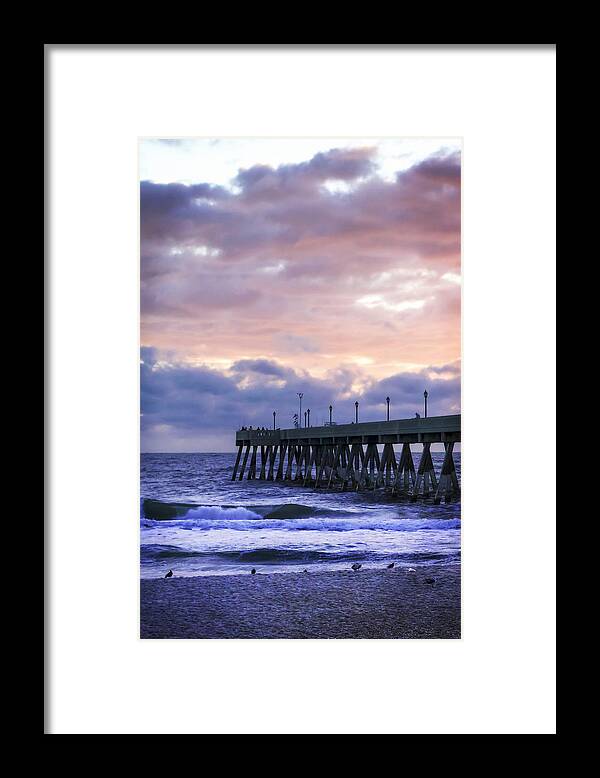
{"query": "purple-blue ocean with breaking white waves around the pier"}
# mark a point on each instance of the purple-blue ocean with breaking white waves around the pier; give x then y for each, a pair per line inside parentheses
(222, 529)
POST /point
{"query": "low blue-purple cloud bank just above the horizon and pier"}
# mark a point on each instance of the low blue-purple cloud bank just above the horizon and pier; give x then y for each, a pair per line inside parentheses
(195, 408)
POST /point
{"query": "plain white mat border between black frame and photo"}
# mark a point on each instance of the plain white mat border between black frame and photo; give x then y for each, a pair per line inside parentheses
(500, 677)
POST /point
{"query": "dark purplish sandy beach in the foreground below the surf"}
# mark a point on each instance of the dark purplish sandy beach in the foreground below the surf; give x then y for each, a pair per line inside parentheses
(369, 603)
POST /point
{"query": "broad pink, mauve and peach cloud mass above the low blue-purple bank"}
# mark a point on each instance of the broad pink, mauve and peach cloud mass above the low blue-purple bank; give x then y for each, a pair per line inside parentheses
(276, 263)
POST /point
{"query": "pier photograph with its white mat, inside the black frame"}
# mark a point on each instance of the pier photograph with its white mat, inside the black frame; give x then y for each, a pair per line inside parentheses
(296, 296)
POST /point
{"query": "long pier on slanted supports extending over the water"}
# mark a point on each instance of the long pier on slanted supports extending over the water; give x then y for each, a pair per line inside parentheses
(355, 456)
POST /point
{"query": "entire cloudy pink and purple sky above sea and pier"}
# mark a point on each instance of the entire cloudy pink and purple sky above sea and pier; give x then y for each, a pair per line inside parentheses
(270, 267)
